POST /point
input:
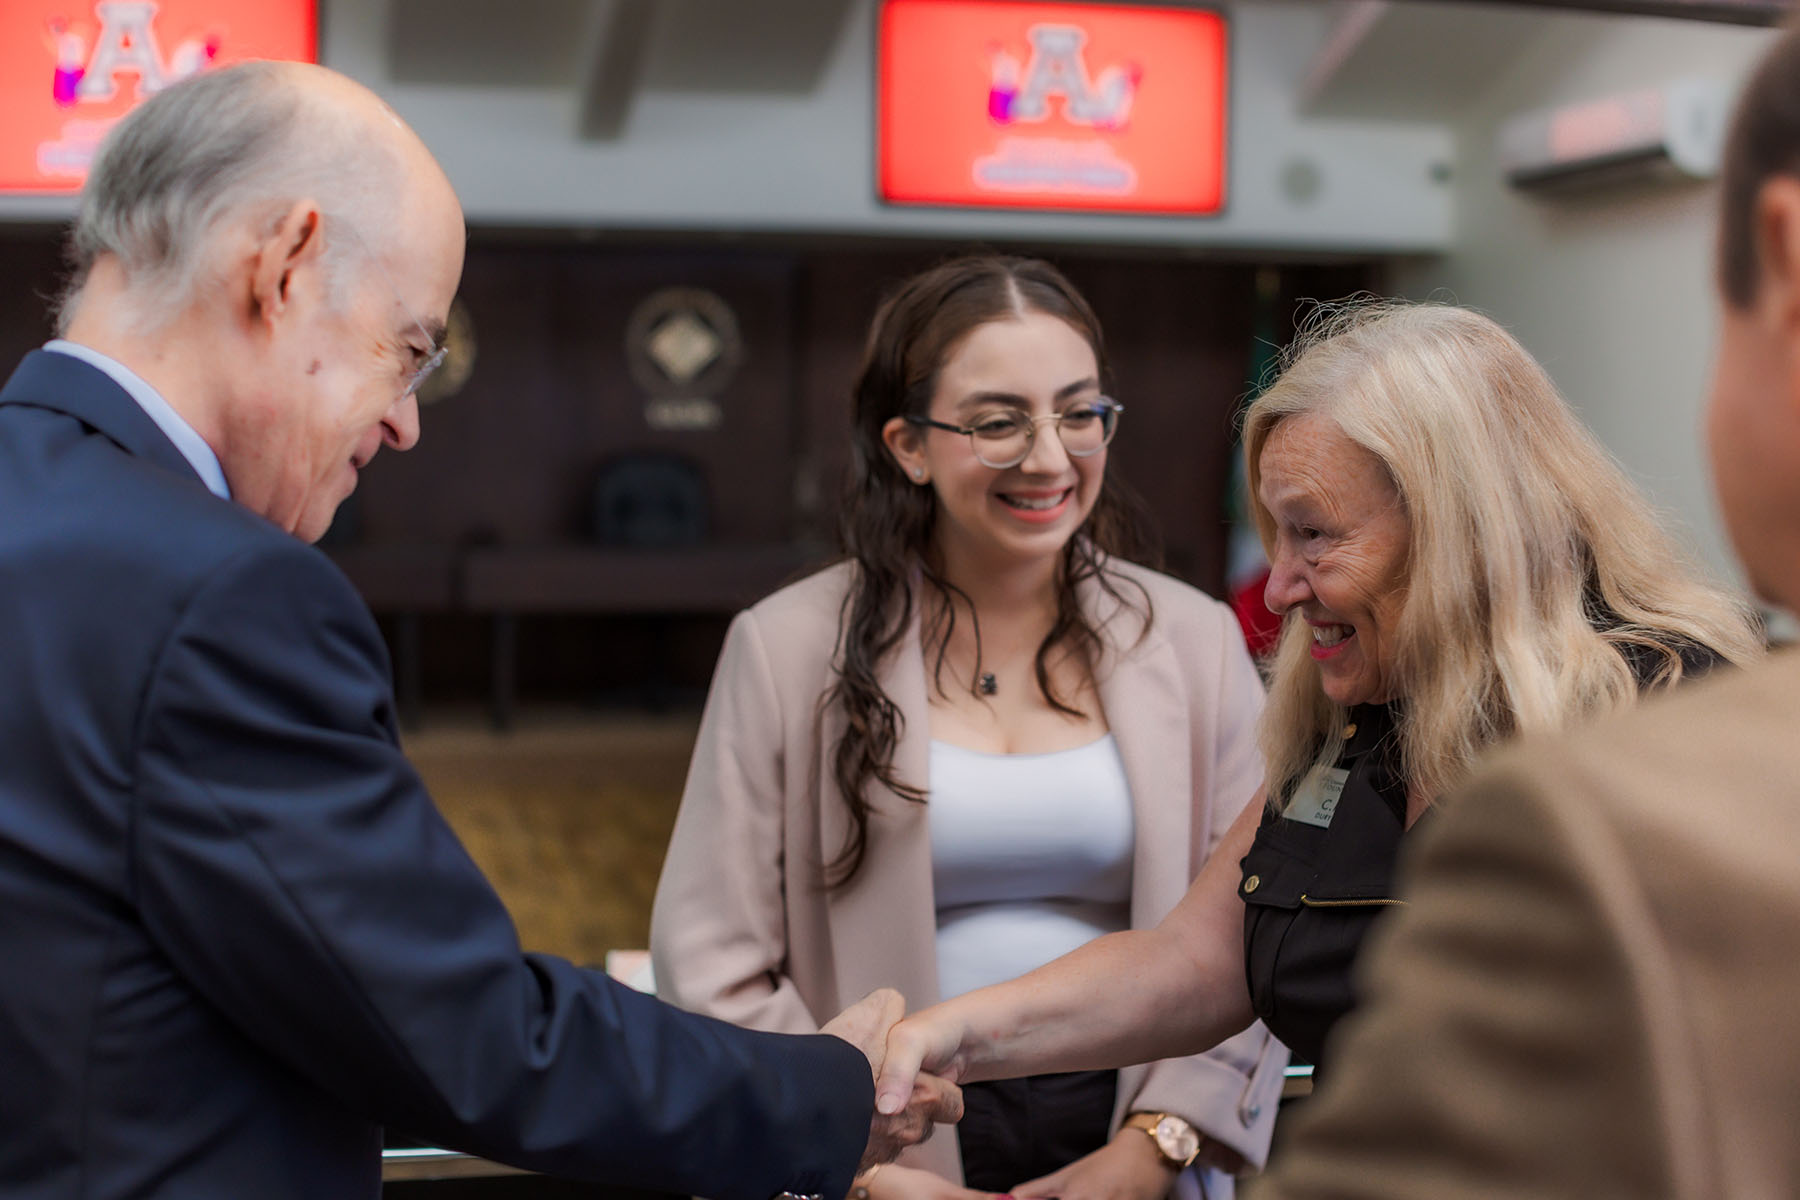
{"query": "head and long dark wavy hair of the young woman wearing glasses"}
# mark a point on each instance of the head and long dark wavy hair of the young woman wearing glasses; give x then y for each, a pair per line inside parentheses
(980, 447)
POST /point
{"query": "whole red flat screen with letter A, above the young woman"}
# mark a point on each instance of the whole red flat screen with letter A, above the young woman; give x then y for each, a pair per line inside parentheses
(1084, 107)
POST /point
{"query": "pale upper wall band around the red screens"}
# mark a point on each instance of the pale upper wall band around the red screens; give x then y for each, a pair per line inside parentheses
(802, 159)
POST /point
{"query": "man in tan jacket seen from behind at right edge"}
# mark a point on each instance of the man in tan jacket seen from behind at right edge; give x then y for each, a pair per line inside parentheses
(1594, 990)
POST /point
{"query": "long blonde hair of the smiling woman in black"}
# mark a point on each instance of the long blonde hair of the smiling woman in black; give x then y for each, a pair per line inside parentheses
(1533, 560)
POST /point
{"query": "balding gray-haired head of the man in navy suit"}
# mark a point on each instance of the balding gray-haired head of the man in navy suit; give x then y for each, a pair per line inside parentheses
(274, 253)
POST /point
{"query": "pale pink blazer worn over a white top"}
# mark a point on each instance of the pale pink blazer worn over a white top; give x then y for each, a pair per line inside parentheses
(744, 929)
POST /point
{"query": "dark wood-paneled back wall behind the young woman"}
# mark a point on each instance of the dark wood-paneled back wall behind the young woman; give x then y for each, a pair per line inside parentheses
(512, 460)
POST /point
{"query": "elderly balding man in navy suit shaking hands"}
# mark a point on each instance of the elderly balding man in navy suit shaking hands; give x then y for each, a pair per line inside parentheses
(237, 938)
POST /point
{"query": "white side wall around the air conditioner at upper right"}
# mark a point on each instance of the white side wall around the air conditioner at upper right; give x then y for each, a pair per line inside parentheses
(1614, 292)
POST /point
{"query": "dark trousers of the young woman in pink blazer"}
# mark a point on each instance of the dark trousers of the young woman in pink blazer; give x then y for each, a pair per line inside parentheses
(1014, 1131)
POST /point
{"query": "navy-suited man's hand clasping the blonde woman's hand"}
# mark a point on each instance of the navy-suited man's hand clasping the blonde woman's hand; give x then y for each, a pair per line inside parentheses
(910, 1102)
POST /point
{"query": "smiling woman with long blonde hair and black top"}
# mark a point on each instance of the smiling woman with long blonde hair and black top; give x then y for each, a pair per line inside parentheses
(1457, 560)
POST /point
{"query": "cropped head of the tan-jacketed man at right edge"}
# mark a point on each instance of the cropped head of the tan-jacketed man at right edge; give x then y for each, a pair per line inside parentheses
(1754, 420)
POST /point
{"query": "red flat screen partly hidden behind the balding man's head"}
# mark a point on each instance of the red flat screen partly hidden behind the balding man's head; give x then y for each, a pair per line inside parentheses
(69, 69)
